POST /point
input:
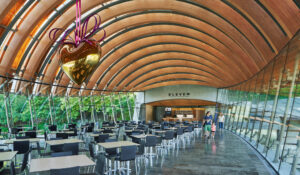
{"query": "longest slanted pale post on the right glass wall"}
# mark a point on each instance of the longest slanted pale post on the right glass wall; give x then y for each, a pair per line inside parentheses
(283, 126)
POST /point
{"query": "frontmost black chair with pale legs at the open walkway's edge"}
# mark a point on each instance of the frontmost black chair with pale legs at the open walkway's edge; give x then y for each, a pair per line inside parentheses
(127, 154)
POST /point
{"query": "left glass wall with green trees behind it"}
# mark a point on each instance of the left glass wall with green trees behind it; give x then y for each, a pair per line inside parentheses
(40, 110)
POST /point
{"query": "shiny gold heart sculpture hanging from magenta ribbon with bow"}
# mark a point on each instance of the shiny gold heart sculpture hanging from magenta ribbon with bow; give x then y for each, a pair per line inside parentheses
(79, 56)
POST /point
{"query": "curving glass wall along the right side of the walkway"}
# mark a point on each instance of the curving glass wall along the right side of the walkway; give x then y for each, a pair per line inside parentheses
(265, 110)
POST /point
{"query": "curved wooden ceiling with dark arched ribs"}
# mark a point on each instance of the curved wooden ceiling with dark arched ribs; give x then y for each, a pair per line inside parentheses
(150, 43)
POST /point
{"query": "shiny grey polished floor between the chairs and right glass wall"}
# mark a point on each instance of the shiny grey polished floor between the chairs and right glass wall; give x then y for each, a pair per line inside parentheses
(226, 154)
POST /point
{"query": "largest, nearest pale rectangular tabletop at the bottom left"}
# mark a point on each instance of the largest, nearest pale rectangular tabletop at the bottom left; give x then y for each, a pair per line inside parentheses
(46, 164)
